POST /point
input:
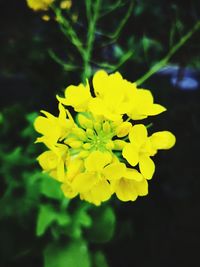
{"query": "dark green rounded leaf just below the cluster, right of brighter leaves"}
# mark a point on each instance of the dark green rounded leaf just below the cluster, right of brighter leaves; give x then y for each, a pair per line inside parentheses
(103, 226)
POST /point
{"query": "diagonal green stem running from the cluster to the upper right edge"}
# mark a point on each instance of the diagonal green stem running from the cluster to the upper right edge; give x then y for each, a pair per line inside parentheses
(166, 59)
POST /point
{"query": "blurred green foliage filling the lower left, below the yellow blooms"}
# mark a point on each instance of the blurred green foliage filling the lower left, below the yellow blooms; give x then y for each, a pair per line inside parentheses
(32, 198)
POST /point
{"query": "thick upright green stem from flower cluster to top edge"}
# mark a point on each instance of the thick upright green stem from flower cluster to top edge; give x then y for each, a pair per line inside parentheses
(92, 20)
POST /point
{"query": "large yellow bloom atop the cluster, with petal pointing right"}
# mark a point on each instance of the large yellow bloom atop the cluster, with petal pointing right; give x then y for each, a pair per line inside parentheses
(116, 96)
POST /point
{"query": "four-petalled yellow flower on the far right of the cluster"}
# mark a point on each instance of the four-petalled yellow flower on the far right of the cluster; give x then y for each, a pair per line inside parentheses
(141, 148)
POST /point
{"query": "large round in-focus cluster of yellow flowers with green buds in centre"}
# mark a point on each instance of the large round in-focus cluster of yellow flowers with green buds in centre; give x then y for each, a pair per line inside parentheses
(103, 151)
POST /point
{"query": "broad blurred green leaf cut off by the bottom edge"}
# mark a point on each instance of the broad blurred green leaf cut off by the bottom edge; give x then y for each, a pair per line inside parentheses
(73, 255)
